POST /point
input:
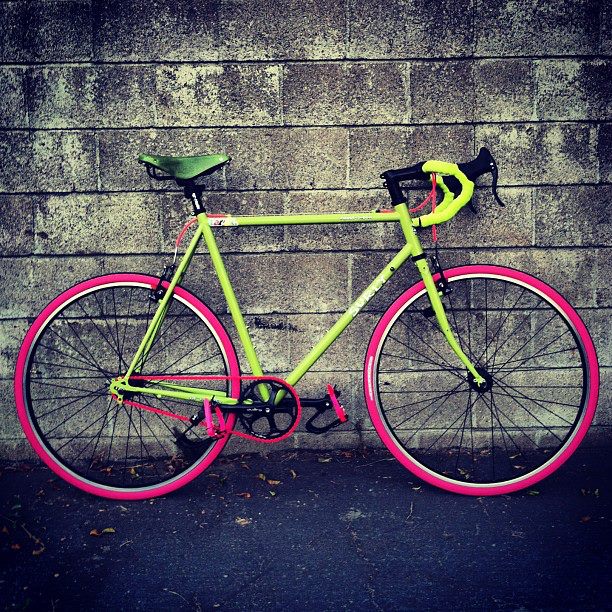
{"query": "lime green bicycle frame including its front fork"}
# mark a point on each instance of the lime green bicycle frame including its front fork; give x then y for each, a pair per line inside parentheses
(412, 249)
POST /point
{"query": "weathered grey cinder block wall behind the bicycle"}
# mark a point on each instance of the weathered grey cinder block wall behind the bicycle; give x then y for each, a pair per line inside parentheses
(312, 100)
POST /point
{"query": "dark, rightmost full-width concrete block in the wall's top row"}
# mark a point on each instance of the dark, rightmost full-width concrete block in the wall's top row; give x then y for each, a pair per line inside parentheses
(525, 27)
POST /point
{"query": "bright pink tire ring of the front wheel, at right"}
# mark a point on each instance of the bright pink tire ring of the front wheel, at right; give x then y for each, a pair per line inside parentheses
(497, 489)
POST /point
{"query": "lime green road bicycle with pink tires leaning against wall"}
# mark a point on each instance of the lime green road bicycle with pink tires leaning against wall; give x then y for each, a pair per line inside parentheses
(128, 386)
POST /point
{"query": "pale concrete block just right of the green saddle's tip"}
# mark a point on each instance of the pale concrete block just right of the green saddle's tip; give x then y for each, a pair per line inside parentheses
(281, 158)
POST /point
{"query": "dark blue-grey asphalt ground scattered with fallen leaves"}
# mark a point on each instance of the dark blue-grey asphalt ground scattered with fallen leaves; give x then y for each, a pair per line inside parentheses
(348, 530)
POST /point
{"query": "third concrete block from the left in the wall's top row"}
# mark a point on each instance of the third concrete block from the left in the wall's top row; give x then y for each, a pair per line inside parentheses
(289, 29)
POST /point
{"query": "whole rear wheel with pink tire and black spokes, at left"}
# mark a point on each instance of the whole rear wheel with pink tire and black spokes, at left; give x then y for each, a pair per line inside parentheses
(77, 345)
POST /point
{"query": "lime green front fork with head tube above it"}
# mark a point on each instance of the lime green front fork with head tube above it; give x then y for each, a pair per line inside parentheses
(418, 257)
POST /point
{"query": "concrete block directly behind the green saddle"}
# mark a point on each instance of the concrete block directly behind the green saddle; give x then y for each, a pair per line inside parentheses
(119, 150)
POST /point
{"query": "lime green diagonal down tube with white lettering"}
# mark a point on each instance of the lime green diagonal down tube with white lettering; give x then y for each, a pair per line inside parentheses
(349, 315)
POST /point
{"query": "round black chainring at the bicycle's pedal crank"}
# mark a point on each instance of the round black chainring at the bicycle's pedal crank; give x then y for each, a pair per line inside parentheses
(271, 418)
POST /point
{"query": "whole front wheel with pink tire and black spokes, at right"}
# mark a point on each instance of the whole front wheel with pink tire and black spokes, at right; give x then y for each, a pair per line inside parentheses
(541, 388)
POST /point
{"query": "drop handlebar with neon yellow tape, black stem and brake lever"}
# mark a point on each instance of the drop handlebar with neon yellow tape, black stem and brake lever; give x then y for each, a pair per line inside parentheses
(458, 186)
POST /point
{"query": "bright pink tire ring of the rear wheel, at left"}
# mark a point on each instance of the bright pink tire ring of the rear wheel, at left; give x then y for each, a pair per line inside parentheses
(31, 434)
